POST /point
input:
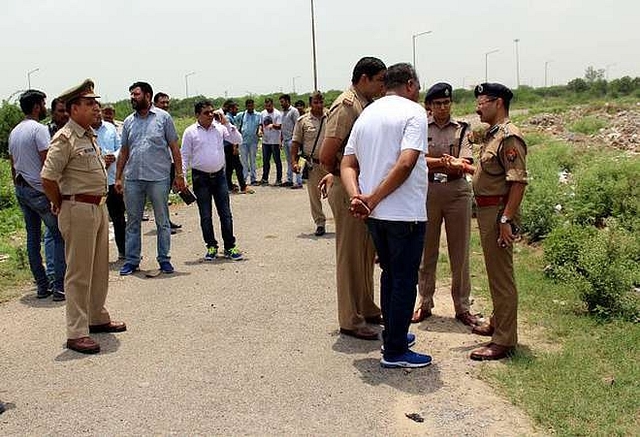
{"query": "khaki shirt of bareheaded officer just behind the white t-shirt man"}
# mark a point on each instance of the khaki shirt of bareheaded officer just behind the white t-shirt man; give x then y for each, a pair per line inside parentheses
(343, 113)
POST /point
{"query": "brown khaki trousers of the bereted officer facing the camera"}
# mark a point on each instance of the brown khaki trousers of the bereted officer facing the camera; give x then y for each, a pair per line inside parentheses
(449, 202)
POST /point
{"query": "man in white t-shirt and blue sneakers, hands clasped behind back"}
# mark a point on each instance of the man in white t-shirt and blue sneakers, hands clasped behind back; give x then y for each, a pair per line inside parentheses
(385, 174)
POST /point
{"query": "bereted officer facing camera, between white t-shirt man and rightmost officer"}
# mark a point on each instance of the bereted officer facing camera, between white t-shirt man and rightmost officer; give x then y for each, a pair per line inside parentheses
(448, 200)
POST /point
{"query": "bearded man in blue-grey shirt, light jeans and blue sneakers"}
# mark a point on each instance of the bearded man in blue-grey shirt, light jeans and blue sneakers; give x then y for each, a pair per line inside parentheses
(149, 142)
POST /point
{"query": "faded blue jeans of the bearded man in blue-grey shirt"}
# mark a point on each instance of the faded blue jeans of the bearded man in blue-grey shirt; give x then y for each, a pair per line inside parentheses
(135, 196)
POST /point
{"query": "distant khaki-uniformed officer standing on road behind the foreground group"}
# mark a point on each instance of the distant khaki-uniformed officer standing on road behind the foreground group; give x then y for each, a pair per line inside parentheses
(307, 138)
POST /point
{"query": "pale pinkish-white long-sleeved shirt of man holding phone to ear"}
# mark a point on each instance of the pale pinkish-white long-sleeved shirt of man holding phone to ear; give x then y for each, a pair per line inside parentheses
(203, 149)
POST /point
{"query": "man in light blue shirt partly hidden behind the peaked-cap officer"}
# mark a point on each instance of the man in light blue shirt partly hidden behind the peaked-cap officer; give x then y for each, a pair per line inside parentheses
(109, 142)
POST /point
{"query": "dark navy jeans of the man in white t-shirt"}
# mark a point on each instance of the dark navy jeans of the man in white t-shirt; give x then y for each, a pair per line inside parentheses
(399, 247)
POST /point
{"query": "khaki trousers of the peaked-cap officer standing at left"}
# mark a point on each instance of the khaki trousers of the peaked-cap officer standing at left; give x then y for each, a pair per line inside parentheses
(85, 229)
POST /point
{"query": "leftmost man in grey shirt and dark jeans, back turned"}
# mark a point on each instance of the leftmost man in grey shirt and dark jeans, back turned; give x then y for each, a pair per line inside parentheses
(28, 145)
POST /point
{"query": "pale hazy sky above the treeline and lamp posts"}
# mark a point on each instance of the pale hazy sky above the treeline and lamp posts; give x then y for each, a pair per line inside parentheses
(259, 46)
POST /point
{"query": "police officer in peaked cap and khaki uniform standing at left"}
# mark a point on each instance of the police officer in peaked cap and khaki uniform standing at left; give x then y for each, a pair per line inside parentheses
(75, 181)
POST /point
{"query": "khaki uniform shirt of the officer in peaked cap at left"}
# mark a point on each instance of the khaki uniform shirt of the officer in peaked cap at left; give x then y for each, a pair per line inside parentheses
(75, 162)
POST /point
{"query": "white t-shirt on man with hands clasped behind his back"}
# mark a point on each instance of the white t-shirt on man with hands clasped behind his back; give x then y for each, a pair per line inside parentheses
(384, 129)
